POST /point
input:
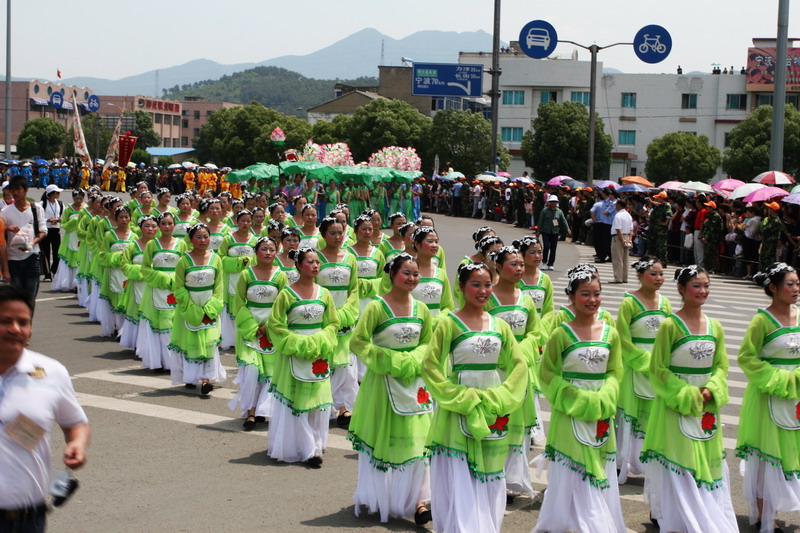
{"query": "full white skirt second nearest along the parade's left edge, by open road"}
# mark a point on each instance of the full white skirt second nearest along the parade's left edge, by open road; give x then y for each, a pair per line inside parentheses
(294, 439)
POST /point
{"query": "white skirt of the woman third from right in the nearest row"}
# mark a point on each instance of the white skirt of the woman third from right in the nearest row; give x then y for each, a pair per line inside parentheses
(573, 504)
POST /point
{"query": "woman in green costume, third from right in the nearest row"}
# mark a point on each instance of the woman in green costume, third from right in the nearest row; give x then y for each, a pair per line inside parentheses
(580, 372)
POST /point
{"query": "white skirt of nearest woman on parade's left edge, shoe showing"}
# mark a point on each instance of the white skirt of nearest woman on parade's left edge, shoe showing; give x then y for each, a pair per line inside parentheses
(395, 492)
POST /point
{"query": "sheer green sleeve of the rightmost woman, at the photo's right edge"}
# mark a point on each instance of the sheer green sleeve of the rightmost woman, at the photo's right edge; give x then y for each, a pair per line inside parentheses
(761, 374)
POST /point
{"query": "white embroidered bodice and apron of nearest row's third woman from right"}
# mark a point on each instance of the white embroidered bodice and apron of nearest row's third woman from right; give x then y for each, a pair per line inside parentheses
(584, 365)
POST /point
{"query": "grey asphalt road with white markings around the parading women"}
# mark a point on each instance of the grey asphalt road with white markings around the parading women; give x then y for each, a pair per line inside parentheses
(165, 459)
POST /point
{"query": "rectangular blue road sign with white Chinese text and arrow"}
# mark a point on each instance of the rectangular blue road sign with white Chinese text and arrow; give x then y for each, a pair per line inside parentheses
(447, 79)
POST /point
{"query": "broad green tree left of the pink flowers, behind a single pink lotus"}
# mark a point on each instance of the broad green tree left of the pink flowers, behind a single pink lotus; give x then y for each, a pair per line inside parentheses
(240, 136)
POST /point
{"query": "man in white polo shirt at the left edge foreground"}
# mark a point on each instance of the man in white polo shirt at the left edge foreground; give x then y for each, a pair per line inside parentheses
(35, 391)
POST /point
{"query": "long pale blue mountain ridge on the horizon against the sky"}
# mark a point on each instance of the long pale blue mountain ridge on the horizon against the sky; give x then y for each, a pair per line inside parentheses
(352, 57)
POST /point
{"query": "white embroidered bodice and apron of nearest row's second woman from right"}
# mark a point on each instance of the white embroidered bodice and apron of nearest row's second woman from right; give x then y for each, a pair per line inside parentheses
(691, 360)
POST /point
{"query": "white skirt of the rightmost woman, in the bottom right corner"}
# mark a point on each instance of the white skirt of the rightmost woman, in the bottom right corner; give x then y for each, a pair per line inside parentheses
(766, 481)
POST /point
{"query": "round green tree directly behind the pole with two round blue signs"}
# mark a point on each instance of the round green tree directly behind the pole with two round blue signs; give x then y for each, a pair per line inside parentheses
(559, 142)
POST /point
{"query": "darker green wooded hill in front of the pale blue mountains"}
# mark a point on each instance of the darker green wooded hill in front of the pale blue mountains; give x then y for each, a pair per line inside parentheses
(278, 88)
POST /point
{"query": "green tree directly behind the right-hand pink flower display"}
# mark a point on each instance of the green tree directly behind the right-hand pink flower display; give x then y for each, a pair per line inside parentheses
(387, 123)
